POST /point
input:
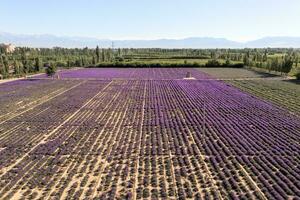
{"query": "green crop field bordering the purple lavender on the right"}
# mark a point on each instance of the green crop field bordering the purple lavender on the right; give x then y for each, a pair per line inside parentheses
(280, 91)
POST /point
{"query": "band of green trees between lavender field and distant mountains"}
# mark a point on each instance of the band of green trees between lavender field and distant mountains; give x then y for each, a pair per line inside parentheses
(26, 60)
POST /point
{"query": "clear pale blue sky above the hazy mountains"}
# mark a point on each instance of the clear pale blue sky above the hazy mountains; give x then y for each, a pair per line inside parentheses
(150, 19)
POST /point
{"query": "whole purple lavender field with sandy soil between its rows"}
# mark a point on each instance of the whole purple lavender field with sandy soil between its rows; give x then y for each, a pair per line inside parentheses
(144, 134)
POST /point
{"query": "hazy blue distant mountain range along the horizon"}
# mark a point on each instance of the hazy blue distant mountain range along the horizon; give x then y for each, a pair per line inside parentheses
(195, 42)
